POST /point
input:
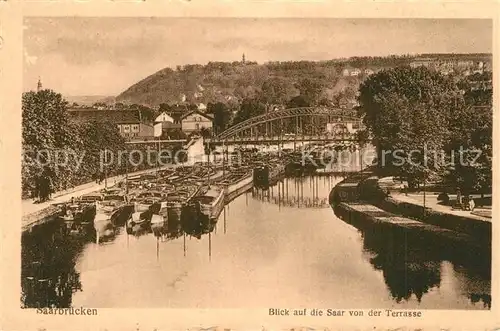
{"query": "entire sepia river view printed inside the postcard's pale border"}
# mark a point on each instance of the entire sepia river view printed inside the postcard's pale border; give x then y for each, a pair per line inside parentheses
(256, 163)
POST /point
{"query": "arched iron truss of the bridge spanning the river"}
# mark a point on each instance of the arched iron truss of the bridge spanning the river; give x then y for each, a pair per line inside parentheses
(294, 124)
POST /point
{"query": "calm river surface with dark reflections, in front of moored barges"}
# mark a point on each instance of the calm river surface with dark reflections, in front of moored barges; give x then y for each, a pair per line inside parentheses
(279, 248)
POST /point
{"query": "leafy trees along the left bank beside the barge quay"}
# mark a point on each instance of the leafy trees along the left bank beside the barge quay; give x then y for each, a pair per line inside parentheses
(48, 131)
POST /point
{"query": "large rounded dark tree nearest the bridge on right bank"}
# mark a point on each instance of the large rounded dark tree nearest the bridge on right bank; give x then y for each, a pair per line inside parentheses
(402, 108)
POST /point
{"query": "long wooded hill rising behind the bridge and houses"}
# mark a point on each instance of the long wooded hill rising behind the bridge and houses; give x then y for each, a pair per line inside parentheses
(278, 81)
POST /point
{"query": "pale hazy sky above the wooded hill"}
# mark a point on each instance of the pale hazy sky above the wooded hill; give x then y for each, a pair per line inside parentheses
(81, 56)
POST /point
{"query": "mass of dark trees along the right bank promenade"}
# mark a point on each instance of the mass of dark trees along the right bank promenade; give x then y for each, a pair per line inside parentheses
(441, 126)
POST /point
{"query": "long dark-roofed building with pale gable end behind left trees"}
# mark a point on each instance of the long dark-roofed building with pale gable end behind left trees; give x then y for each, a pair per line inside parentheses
(129, 122)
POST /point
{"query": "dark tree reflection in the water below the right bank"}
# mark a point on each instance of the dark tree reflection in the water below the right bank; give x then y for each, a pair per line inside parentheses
(412, 263)
